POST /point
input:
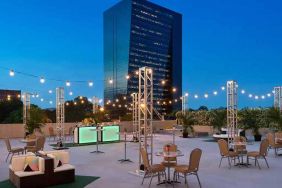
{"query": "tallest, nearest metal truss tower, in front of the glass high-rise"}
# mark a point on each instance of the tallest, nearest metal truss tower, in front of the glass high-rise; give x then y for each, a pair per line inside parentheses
(145, 112)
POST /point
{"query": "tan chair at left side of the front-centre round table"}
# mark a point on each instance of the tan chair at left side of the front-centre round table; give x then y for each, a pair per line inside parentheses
(151, 170)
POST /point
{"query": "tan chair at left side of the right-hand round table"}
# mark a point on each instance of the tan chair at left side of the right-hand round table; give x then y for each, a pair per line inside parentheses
(225, 153)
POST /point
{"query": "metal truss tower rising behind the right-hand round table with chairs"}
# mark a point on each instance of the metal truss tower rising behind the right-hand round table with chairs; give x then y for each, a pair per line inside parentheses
(232, 109)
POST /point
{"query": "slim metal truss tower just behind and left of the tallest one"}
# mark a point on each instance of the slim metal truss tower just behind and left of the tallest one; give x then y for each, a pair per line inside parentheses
(135, 116)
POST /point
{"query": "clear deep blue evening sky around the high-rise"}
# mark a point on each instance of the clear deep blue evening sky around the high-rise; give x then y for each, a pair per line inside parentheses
(222, 40)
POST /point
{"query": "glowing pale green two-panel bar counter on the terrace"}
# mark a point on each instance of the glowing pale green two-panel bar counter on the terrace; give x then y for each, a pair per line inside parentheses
(90, 134)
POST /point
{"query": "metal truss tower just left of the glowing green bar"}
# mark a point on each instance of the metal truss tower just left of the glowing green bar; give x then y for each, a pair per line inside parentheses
(60, 115)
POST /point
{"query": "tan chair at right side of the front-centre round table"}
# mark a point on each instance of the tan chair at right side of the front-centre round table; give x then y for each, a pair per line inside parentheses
(192, 168)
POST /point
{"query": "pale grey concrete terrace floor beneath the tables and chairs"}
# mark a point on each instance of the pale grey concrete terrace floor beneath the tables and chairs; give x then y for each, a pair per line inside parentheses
(114, 174)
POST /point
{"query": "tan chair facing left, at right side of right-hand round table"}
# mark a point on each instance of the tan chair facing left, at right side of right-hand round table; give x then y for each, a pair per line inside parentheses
(262, 153)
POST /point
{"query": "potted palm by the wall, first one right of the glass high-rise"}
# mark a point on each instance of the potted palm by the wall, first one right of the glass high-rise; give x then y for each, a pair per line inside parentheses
(187, 121)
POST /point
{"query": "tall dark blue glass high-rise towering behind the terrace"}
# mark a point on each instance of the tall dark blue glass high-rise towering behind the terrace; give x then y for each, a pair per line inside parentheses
(139, 33)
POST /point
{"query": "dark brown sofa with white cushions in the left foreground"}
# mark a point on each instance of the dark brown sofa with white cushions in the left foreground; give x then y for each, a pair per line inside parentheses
(48, 173)
